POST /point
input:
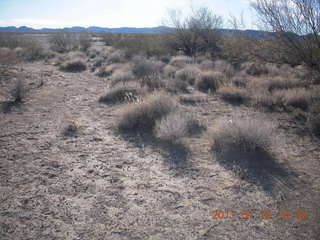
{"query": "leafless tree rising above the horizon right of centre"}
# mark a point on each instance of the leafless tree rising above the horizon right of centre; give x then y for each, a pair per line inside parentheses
(197, 33)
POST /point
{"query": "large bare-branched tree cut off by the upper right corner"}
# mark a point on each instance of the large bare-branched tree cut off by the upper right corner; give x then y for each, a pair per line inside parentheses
(297, 23)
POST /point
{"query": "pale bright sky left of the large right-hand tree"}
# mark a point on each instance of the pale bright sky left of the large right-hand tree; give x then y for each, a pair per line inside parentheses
(108, 13)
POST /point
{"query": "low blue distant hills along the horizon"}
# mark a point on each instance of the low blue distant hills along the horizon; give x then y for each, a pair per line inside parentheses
(152, 30)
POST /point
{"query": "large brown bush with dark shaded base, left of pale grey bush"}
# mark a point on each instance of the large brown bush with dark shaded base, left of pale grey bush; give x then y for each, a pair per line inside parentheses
(141, 117)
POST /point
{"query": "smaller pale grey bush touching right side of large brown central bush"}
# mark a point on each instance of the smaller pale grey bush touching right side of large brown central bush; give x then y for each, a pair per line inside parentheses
(177, 125)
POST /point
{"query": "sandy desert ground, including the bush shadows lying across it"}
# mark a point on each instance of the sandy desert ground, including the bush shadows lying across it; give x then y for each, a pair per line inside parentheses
(67, 172)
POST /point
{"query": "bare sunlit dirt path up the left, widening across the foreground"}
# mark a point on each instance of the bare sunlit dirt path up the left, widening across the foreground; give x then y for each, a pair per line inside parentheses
(100, 186)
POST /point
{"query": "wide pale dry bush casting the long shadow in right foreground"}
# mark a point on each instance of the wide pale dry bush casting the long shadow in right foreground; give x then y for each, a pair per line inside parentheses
(244, 134)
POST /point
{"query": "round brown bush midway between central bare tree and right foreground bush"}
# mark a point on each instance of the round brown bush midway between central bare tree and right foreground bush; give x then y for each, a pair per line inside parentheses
(210, 81)
